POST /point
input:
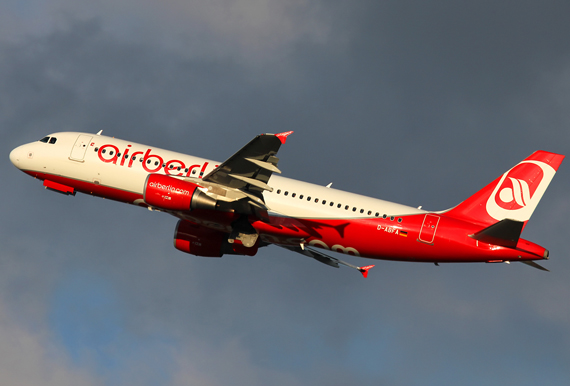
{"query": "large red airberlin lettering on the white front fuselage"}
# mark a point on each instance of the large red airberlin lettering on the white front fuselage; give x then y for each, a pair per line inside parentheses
(151, 163)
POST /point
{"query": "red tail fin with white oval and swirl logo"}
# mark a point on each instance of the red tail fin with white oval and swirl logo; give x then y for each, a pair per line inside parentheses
(514, 195)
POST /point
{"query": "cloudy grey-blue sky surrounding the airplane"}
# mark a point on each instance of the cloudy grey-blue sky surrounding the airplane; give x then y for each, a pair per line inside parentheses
(421, 103)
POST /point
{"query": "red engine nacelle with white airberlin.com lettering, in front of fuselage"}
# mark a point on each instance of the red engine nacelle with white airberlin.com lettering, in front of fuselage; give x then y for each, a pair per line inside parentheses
(173, 194)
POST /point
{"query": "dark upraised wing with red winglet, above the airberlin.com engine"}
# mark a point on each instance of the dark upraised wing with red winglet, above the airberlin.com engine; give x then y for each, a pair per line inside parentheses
(250, 168)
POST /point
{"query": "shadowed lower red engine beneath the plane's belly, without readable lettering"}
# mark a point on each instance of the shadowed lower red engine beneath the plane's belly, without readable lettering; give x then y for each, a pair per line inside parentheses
(201, 241)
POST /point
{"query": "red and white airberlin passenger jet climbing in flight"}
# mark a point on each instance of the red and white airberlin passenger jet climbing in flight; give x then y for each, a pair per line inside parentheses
(240, 205)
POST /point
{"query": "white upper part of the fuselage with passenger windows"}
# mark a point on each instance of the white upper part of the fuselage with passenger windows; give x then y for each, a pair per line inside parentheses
(109, 168)
